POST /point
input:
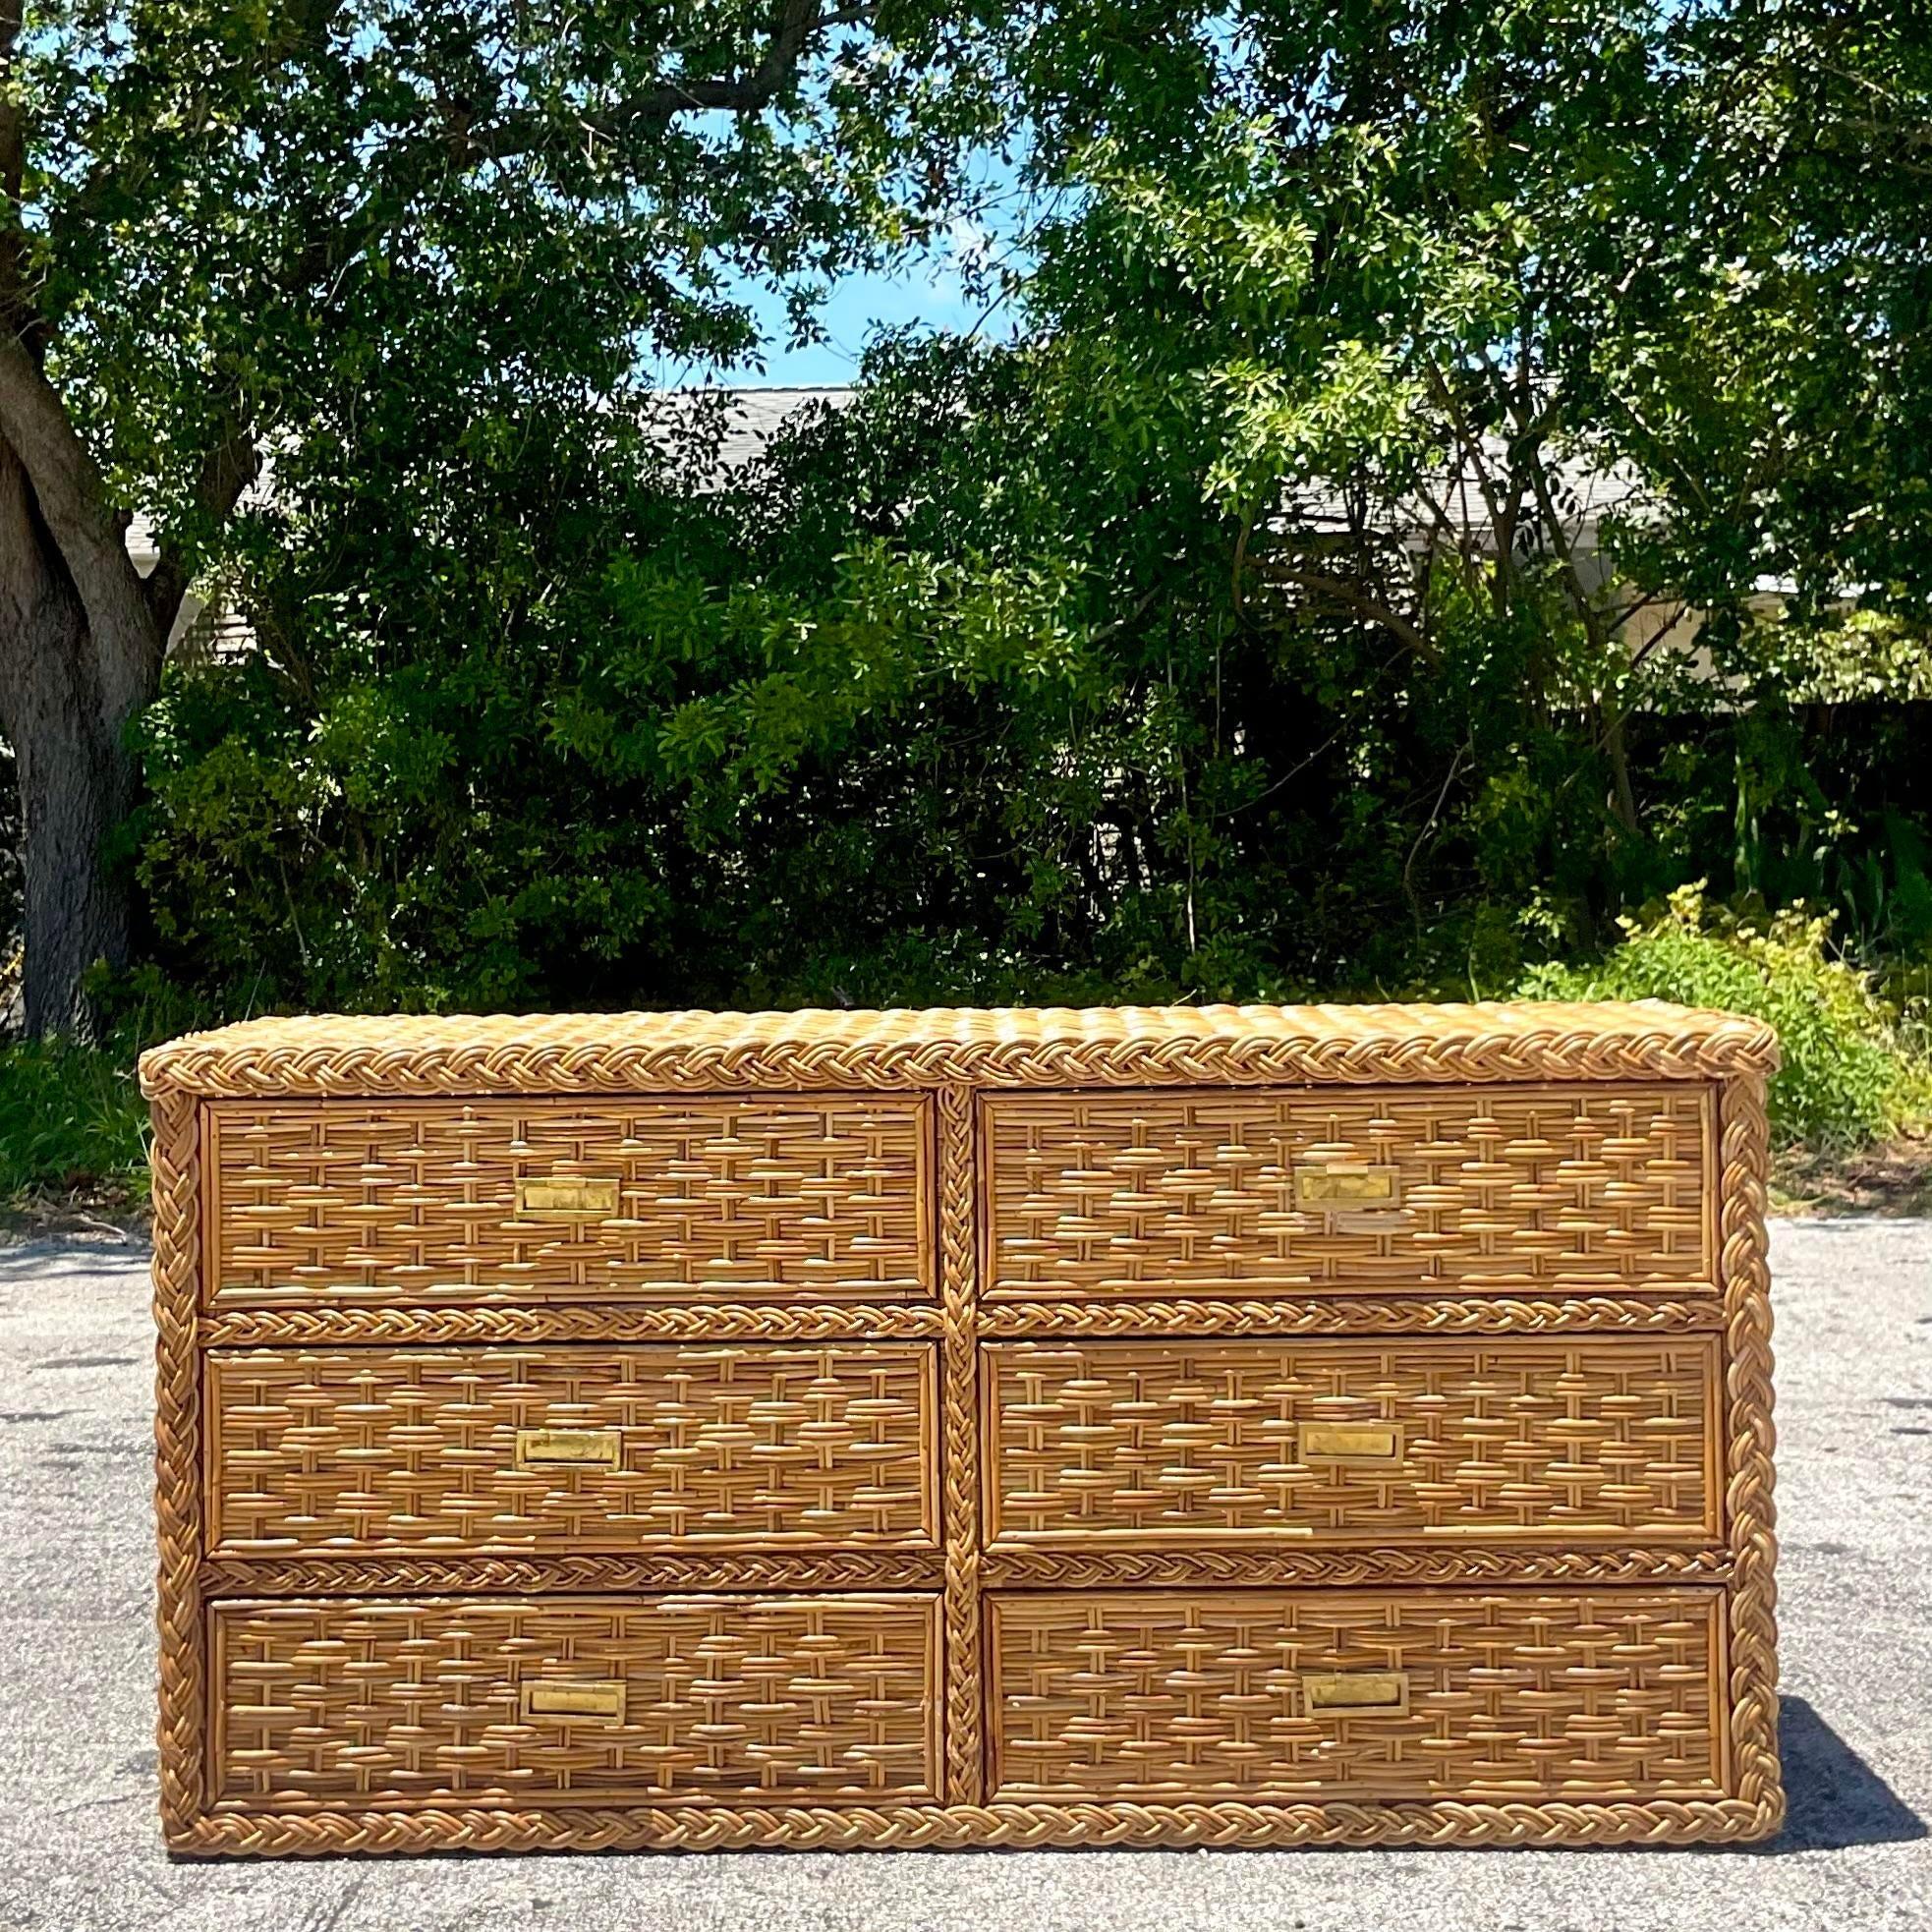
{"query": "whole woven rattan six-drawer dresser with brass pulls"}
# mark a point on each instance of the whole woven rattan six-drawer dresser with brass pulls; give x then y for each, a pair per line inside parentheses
(1234, 1427)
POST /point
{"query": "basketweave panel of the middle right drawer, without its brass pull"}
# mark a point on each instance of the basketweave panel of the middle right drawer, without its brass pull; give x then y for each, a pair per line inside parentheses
(1187, 1442)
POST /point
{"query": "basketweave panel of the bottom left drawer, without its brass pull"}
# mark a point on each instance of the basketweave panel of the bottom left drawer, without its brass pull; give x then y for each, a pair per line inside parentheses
(731, 1699)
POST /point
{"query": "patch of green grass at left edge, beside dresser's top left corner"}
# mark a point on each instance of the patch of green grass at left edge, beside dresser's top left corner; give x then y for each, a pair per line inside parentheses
(72, 1122)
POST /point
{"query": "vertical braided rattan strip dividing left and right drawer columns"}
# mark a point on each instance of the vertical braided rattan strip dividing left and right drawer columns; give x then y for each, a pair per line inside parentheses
(959, 1407)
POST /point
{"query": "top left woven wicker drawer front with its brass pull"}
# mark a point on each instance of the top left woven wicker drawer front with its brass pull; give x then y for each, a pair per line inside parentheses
(559, 1201)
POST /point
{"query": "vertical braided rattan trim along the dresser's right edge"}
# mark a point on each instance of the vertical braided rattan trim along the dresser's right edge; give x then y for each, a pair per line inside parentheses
(1749, 1508)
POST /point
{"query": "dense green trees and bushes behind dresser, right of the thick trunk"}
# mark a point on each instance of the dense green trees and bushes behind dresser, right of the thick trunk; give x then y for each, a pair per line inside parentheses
(1351, 577)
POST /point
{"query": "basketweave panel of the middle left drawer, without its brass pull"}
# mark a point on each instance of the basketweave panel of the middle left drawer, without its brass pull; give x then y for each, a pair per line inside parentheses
(416, 1450)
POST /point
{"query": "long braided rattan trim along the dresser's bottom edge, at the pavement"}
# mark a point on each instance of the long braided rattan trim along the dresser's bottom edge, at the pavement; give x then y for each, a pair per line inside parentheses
(1013, 1827)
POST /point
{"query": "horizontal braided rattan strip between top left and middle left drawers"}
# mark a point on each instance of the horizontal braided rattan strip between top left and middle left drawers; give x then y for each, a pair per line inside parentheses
(268, 1328)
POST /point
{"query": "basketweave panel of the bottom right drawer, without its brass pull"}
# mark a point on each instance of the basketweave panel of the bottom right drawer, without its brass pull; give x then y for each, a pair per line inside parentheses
(1170, 1695)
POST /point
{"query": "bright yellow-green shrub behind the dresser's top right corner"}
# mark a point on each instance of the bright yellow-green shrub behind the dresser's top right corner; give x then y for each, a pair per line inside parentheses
(1848, 1073)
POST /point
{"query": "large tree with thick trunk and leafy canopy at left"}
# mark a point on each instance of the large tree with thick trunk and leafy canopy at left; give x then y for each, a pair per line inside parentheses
(356, 242)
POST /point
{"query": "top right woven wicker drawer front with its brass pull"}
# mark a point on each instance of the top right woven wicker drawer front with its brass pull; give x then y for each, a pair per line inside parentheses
(1465, 1189)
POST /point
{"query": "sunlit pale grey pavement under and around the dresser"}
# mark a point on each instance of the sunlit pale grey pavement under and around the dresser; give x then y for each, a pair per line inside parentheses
(80, 1852)
